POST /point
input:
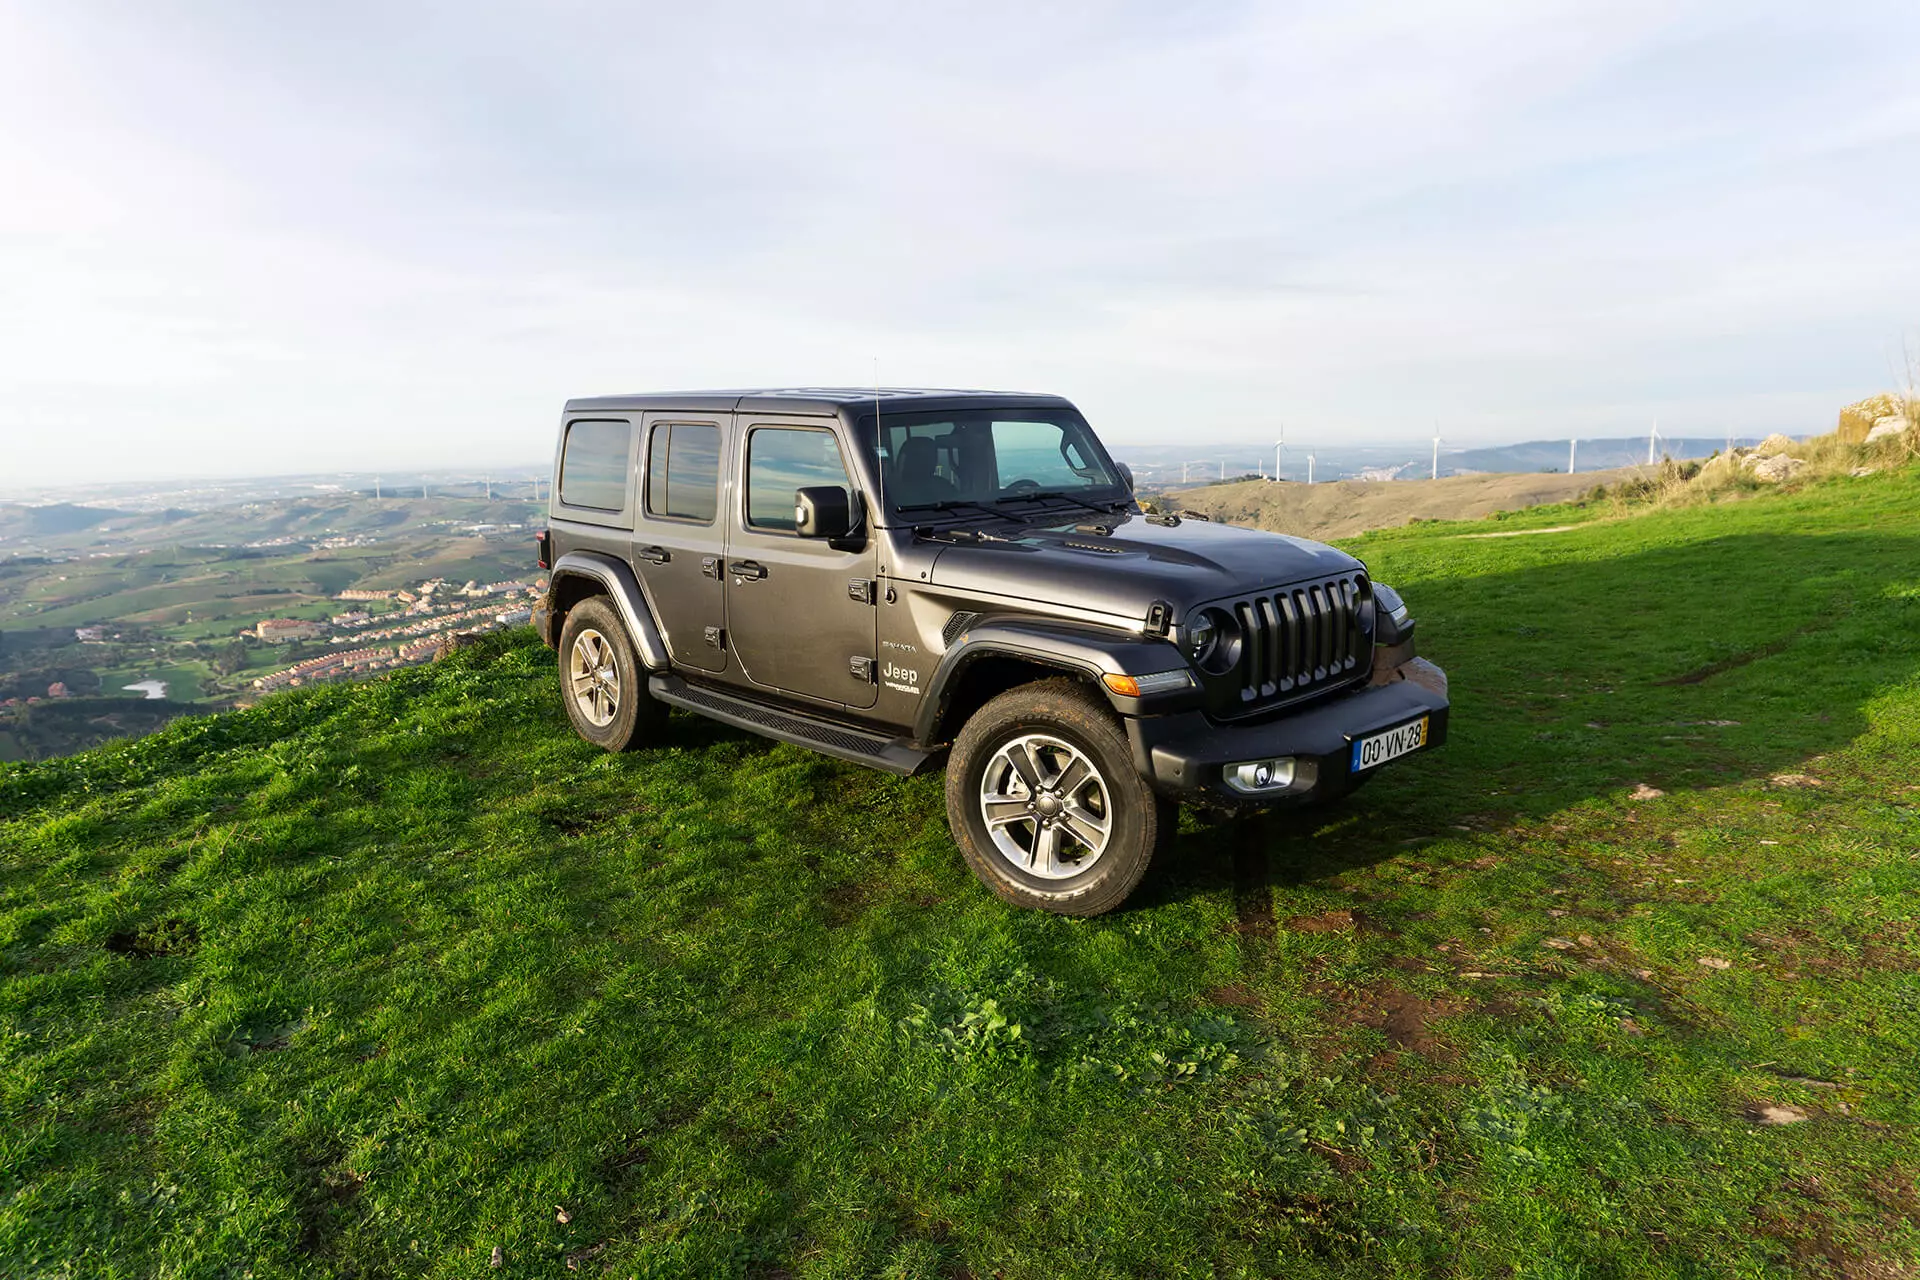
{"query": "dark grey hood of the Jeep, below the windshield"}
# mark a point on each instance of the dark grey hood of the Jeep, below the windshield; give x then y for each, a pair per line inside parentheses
(1136, 565)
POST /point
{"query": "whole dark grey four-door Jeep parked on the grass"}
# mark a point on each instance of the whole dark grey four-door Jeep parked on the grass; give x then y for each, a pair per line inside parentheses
(900, 579)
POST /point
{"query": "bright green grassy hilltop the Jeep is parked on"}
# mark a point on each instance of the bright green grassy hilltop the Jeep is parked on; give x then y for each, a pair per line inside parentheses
(381, 980)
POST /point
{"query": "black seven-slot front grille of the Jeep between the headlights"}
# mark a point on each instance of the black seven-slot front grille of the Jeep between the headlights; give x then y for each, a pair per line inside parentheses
(1303, 638)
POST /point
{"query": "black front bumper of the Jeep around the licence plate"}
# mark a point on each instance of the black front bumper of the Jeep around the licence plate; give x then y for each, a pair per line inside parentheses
(1188, 755)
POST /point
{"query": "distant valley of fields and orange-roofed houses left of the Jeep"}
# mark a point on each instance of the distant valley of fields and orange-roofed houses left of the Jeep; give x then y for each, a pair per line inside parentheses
(176, 609)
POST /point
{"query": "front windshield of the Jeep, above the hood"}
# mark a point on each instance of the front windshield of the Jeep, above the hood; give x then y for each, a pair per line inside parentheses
(984, 458)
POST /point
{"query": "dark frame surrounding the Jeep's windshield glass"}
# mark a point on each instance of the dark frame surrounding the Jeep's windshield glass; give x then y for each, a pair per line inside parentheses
(1022, 510)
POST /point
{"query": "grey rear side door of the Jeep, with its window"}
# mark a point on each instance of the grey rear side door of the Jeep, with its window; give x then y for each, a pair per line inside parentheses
(679, 534)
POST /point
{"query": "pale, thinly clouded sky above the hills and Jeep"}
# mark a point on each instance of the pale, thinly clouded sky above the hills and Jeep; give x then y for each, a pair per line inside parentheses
(252, 239)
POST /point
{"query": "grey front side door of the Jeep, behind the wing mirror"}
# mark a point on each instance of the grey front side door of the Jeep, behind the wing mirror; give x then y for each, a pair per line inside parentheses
(800, 611)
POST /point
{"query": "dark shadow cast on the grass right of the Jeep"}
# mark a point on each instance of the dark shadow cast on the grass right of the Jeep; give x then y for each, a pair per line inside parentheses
(1683, 669)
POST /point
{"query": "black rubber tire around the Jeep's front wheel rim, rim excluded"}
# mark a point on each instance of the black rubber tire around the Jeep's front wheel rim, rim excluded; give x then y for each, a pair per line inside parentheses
(1141, 822)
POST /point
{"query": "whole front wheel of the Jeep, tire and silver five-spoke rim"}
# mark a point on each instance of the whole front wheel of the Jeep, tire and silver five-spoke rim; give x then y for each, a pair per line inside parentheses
(1047, 807)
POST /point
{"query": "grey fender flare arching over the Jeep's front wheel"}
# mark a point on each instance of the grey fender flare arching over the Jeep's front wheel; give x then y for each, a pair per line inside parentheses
(1070, 648)
